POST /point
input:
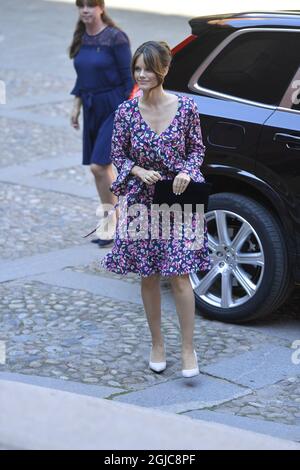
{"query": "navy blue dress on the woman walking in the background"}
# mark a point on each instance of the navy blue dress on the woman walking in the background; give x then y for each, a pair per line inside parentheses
(103, 82)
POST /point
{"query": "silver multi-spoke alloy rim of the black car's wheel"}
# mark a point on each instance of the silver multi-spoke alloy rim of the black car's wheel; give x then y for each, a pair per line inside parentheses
(238, 261)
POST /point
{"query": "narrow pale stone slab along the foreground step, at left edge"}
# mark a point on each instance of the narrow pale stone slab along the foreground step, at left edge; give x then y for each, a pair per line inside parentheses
(63, 385)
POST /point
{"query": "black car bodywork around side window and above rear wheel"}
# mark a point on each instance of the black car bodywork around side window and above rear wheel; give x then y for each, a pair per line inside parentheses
(248, 150)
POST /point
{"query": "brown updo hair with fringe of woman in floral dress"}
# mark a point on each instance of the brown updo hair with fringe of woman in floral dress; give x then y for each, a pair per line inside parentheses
(157, 57)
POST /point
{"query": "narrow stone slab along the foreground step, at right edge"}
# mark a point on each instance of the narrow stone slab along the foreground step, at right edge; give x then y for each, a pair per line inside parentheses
(270, 428)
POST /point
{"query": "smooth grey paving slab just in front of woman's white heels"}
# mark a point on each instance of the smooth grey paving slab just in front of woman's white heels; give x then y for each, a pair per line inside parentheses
(185, 394)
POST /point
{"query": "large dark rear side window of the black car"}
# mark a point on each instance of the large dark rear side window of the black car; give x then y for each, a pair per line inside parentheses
(256, 66)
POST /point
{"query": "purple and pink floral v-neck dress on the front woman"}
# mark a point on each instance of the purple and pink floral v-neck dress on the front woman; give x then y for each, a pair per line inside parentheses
(178, 149)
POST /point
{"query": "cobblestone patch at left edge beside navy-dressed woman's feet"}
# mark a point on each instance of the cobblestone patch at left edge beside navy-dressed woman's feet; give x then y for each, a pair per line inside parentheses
(36, 221)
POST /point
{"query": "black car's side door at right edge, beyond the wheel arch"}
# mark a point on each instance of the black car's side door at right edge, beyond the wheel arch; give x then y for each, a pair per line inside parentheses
(278, 157)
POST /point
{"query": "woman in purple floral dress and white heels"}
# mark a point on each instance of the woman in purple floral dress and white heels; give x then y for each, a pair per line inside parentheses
(157, 136)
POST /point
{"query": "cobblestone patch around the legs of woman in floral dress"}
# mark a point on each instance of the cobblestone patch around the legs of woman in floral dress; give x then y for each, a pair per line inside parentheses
(75, 335)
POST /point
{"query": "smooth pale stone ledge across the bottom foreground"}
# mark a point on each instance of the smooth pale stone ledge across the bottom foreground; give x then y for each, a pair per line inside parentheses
(38, 418)
